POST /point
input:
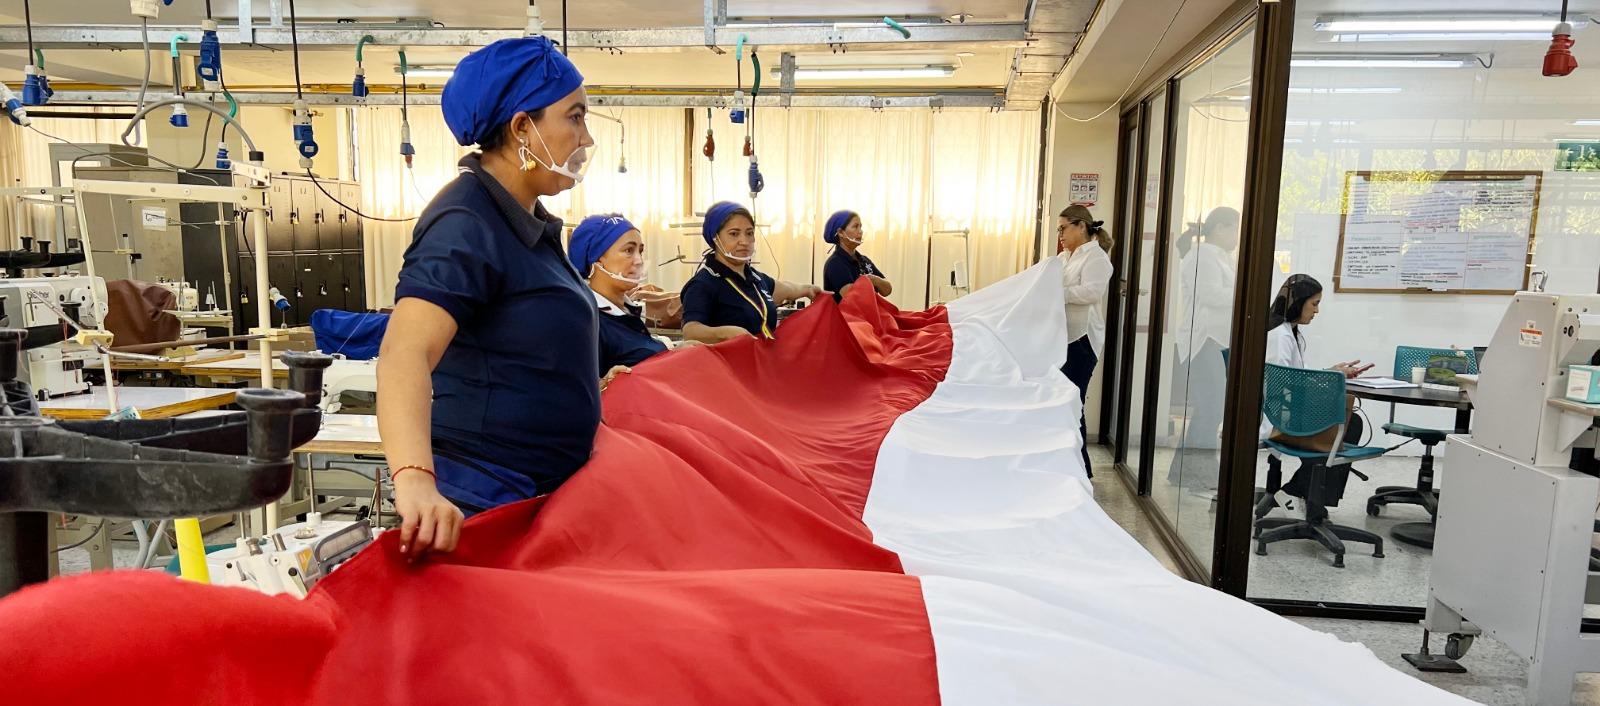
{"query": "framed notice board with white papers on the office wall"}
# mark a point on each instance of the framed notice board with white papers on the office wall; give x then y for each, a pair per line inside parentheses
(1462, 233)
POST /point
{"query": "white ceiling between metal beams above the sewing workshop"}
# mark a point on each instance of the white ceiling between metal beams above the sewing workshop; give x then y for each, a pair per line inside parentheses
(262, 70)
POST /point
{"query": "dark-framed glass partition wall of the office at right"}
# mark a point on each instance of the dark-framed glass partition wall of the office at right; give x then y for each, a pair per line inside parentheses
(1364, 135)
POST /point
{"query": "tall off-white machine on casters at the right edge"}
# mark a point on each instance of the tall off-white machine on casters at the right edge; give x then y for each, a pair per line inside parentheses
(1518, 516)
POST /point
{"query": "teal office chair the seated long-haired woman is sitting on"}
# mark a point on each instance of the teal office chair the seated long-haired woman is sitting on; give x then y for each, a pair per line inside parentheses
(1306, 403)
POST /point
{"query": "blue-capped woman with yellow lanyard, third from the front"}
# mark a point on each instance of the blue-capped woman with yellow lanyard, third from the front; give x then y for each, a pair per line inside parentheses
(729, 297)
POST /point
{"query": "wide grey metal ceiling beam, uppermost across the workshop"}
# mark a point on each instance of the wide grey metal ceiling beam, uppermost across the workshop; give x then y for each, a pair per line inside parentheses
(774, 36)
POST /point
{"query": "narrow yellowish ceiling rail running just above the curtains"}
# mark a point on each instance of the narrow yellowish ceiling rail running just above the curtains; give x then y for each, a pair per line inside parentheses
(602, 100)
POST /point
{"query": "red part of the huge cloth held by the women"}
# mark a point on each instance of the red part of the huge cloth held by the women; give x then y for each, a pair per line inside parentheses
(713, 552)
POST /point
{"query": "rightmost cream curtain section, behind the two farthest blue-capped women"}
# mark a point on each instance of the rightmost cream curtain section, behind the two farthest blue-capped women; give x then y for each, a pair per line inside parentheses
(908, 174)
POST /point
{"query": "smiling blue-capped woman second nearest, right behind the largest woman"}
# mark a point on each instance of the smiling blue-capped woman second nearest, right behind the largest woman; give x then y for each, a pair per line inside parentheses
(612, 254)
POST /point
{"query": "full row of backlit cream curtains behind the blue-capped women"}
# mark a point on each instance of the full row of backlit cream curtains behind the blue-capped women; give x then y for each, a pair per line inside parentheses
(906, 172)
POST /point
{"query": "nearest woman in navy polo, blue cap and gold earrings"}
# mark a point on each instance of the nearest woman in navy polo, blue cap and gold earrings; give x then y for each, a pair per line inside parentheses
(489, 374)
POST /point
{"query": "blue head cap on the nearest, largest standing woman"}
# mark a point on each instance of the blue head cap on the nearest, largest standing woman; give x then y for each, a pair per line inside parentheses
(495, 84)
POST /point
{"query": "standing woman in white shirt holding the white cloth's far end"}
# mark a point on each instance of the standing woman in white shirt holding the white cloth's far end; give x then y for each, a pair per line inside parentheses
(1086, 278)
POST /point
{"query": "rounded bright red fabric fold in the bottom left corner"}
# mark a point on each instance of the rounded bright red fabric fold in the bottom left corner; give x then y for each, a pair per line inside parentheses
(145, 638)
